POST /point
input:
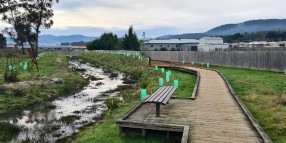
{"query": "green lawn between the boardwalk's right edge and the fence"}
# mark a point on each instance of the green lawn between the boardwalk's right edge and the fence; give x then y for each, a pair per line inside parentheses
(259, 91)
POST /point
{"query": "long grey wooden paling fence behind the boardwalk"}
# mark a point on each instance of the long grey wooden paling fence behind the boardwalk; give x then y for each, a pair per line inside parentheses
(258, 60)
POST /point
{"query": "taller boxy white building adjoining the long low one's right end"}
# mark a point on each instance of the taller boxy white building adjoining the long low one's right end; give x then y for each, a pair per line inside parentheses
(212, 44)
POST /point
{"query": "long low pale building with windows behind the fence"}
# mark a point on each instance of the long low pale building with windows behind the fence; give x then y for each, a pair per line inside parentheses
(172, 44)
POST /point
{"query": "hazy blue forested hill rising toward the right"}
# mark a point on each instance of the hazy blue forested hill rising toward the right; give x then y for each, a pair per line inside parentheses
(230, 29)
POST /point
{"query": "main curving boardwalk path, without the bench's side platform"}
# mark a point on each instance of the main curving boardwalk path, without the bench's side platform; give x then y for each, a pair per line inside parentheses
(217, 117)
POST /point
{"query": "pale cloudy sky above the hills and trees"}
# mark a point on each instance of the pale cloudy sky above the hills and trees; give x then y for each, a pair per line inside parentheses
(156, 17)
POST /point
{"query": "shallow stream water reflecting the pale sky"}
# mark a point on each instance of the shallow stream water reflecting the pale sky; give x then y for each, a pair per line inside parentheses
(87, 104)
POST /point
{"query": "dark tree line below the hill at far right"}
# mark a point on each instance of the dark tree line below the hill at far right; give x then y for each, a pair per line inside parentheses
(257, 36)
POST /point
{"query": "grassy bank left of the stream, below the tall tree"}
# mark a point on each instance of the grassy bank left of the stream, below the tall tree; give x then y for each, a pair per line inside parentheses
(51, 66)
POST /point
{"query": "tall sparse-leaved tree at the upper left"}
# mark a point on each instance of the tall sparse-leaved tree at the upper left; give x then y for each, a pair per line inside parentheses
(27, 17)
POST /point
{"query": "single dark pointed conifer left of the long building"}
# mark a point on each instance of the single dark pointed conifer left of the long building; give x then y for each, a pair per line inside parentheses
(130, 41)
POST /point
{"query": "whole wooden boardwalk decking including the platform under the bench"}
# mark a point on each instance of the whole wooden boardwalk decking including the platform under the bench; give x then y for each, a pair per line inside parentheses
(214, 116)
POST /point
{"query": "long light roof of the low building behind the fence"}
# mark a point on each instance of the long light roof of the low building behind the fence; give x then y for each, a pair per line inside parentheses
(172, 41)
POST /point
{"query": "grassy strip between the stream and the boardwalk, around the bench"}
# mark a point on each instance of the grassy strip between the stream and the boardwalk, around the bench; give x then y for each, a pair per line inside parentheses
(147, 78)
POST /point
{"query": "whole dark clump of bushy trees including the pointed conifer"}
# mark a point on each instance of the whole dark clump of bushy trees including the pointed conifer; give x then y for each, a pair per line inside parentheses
(110, 41)
